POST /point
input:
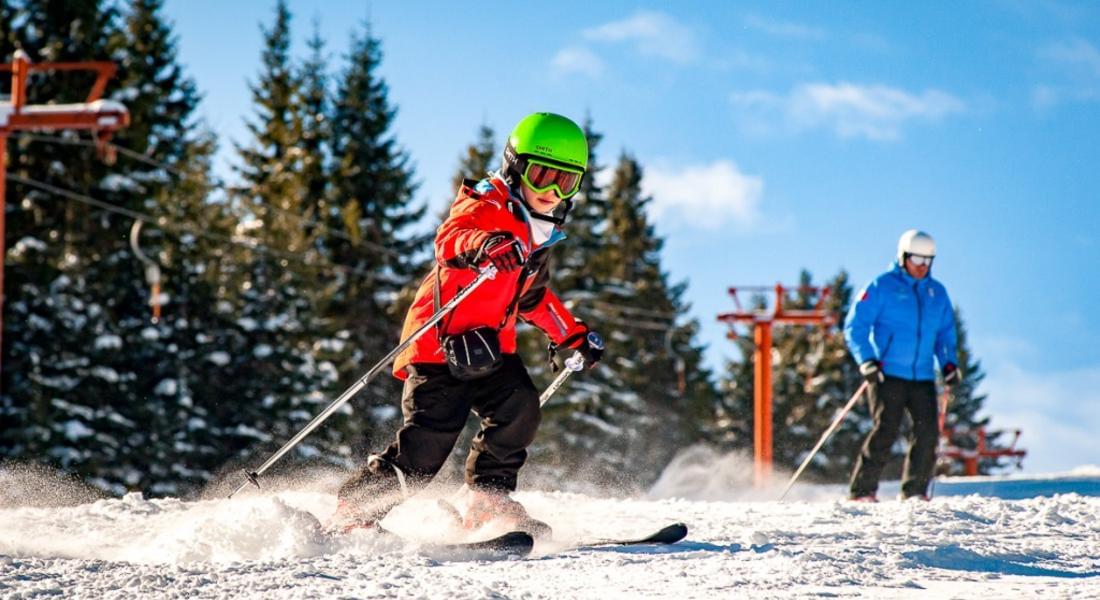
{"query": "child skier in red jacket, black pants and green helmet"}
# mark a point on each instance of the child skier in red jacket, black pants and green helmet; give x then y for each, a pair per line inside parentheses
(509, 222)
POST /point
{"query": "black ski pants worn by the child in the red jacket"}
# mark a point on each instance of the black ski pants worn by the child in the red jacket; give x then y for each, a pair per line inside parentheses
(436, 407)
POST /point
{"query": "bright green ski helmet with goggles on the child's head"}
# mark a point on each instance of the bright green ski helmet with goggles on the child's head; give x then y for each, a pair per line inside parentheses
(547, 151)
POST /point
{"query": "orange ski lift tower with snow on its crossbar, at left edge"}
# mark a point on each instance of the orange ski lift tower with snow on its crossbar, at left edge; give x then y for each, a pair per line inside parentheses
(102, 117)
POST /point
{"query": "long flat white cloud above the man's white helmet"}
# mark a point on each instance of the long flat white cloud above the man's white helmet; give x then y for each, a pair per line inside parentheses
(850, 111)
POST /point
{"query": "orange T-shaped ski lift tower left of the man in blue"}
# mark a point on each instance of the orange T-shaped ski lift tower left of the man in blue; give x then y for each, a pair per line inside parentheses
(763, 320)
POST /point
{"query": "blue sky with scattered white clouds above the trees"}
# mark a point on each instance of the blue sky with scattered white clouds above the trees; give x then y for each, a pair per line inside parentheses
(782, 136)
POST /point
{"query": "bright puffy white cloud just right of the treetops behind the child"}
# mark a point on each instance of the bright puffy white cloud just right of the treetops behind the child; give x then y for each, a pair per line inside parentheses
(707, 197)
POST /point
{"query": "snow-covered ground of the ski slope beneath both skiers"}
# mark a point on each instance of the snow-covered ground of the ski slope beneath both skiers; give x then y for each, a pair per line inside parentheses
(742, 544)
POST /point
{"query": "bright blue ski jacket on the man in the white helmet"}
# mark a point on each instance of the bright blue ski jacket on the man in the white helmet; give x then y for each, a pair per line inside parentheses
(904, 323)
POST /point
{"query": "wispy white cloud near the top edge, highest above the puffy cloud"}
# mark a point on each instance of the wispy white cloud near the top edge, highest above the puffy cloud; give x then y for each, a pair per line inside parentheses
(653, 35)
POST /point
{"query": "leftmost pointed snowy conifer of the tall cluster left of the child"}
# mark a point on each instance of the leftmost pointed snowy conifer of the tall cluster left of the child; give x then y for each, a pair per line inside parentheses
(278, 387)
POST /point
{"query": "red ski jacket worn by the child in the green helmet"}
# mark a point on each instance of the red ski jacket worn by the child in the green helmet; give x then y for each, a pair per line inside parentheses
(476, 215)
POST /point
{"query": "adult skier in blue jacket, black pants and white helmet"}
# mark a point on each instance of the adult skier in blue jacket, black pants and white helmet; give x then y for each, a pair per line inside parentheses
(901, 322)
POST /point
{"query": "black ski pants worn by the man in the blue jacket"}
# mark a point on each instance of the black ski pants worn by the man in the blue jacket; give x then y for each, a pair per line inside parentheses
(889, 401)
